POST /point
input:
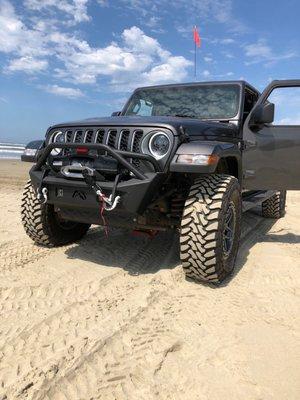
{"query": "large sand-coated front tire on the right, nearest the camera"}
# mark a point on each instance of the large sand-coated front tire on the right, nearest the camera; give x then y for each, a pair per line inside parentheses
(210, 228)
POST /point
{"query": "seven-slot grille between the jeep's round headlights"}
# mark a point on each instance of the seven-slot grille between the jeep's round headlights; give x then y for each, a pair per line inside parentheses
(119, 139)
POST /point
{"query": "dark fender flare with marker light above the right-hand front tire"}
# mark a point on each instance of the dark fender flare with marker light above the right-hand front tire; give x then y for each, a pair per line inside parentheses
(222, 150)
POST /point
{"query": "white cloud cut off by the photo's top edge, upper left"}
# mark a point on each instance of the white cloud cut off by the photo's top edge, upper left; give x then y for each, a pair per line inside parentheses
(76, 10)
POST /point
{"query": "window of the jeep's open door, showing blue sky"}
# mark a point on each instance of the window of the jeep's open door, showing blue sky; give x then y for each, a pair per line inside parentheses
(287, 105)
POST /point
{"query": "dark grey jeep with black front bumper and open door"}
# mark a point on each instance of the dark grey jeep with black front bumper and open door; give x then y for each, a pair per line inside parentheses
(189, 156)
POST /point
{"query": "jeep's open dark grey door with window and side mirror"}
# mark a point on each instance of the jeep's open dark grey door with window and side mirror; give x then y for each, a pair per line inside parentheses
(271, 139)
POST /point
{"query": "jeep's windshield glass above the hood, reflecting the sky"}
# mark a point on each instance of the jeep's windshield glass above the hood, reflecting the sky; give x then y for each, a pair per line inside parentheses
(205, 102)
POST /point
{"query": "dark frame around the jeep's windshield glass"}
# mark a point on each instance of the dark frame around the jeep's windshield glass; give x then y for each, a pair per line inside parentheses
(237, 117)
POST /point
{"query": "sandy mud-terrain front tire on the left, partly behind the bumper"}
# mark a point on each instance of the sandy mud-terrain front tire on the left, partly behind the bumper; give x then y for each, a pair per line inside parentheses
(43, 225)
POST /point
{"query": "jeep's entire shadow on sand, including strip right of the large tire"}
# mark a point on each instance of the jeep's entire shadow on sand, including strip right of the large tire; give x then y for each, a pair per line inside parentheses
(143, 254)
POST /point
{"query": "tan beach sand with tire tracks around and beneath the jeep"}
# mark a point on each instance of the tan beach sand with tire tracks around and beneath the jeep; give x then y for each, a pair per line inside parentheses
(116, 319)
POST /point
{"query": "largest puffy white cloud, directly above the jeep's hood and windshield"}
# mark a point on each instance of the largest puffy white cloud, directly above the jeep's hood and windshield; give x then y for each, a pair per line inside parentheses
(140, 59)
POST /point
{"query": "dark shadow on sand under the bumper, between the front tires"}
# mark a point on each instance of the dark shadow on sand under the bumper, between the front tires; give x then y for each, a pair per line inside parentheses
(137, 254)
